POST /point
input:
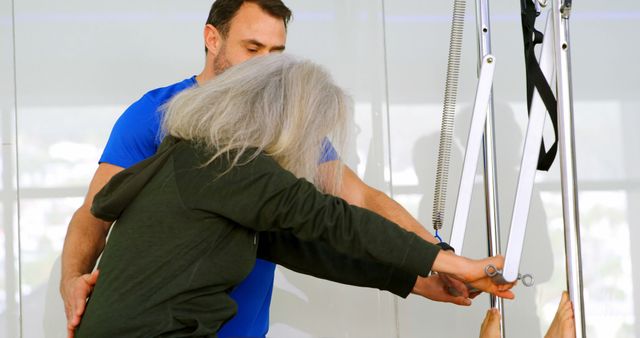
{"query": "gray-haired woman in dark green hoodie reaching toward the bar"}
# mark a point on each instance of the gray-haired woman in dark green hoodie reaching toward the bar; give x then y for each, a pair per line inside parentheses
(234, 180)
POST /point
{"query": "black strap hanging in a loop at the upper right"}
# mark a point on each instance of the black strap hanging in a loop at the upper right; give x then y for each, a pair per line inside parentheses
(536, 79)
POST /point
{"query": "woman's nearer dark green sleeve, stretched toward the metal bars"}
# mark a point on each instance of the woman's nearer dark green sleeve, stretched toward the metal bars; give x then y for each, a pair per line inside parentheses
(262, 196)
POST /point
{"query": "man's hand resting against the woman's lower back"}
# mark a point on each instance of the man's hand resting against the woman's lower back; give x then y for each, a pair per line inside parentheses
(75, 292)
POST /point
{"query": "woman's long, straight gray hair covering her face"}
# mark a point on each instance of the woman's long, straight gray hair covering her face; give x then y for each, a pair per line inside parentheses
(276, 104)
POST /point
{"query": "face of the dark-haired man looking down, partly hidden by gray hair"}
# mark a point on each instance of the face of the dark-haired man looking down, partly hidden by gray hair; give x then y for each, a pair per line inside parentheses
(252, 32)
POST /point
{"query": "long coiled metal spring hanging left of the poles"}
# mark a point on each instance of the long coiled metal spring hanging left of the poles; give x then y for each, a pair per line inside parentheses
(448, 111)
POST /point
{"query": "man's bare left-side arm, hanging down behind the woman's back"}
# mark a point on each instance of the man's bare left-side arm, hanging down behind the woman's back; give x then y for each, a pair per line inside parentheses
(85, 240)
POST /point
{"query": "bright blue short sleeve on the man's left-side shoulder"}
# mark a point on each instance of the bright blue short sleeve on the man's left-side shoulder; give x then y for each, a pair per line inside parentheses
(135, 136)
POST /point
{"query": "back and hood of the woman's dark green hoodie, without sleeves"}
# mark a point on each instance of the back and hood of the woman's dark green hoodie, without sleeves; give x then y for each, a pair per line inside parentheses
(166, 268)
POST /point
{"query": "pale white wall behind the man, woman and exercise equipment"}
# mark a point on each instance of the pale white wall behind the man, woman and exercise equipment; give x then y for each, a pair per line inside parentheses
(78, 64)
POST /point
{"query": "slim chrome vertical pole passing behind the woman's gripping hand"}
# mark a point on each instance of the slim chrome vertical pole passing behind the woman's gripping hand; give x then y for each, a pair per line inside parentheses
(490, 177)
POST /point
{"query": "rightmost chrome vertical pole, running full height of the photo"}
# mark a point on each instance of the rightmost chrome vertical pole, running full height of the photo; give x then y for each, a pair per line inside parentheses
(561, 12)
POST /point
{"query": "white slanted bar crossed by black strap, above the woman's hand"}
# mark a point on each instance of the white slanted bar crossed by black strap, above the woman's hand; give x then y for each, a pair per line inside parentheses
(528, 165)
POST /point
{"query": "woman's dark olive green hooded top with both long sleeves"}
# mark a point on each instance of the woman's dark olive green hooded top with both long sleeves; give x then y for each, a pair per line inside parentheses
(186, 234)
